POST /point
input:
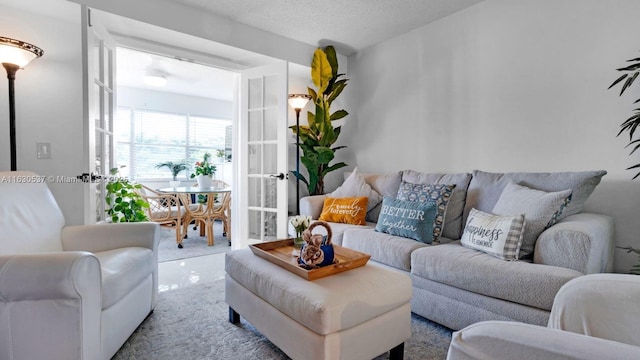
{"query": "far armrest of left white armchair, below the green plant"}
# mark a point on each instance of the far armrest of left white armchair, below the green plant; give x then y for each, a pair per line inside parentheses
(96, 238)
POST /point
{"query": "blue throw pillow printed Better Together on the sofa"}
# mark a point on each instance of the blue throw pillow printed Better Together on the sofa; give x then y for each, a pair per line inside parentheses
(410, 219)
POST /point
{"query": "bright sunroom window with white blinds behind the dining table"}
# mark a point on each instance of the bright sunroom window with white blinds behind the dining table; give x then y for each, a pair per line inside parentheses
(145, 138)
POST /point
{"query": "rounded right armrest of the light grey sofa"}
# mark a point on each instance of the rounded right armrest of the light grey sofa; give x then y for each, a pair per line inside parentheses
(582, 242)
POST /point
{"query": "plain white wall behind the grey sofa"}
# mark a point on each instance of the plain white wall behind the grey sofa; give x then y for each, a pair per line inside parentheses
(505, 86)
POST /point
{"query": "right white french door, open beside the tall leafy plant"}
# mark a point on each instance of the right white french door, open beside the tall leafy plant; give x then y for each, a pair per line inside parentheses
(261, 192)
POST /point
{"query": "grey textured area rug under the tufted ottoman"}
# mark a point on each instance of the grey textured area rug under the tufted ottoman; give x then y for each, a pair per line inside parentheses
(192, 324)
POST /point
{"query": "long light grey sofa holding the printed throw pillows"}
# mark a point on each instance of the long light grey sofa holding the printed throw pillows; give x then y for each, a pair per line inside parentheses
(457, 286)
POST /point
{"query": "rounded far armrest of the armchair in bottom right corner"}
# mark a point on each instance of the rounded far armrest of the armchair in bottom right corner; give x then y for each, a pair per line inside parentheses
(600, 305)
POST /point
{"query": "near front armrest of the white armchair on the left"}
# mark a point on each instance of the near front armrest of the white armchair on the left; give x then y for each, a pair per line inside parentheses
(51, 306)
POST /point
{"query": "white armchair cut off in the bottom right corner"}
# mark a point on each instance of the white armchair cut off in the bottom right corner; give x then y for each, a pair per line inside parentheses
(593, 317)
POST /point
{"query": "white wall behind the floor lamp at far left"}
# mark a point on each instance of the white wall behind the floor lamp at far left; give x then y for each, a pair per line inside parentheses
(48, 102)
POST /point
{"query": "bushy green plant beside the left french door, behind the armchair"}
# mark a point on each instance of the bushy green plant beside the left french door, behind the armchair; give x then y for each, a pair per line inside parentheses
(123, 201)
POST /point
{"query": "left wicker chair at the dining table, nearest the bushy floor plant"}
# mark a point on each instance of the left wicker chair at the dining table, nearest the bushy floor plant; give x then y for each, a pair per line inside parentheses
(166, 210)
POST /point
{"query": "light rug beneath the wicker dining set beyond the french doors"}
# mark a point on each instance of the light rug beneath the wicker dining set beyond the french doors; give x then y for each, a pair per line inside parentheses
(193, 245)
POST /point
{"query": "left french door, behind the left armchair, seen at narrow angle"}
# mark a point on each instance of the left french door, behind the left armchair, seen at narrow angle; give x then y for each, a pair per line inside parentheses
(98, 72)
